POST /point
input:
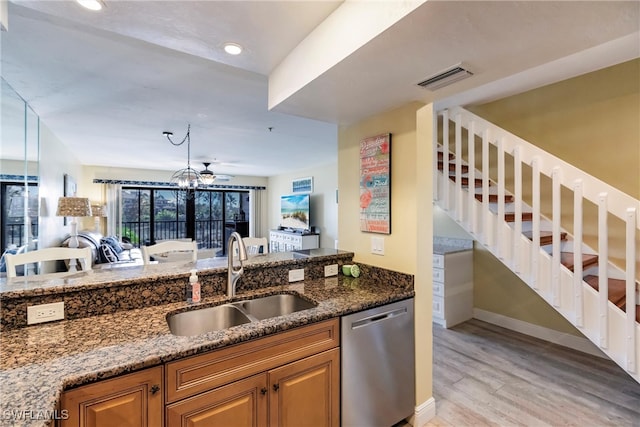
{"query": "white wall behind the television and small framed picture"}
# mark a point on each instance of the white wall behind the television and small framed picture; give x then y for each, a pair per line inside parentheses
(324, 208)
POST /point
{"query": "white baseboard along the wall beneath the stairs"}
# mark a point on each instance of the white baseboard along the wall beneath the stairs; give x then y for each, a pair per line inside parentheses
(560, 338)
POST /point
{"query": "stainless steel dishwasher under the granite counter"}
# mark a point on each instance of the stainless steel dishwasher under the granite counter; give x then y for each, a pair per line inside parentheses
(378, 366)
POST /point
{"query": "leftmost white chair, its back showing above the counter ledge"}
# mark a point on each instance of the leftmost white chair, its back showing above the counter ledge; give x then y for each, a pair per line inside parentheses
(83, 255)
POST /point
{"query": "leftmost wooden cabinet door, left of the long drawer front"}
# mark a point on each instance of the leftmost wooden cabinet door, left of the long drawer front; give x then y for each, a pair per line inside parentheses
(132, 400)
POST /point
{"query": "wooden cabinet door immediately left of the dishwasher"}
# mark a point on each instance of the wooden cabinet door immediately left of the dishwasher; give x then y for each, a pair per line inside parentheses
(306, 392)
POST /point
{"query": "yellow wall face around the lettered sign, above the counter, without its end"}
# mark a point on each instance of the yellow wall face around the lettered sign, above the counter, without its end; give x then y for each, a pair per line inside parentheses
(399, 245)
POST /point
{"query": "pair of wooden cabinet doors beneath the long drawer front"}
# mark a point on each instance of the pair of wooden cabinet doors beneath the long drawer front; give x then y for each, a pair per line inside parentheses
(305, 392)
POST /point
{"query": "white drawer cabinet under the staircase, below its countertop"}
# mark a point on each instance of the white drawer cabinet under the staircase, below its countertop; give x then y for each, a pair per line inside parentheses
(452, 288)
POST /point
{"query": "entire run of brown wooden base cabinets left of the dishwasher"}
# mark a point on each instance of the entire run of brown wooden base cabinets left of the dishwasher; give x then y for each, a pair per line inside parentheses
(287, 379)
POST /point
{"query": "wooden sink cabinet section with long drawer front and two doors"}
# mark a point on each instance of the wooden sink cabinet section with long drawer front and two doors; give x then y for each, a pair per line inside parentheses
(287, 379)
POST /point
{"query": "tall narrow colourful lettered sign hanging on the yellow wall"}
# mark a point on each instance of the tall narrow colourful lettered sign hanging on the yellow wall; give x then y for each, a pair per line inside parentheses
(375, 184)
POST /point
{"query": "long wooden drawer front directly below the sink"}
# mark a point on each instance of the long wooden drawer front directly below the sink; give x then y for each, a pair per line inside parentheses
(193, 375)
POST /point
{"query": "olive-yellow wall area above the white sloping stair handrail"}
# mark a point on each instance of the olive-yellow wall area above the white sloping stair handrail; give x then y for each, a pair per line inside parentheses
(591, 121)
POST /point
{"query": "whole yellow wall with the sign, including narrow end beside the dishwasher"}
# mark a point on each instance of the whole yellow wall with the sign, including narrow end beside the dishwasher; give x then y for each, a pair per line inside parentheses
(408, 248)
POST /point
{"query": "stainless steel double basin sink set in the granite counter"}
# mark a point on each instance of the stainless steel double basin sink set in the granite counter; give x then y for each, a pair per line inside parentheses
(203, 320)
